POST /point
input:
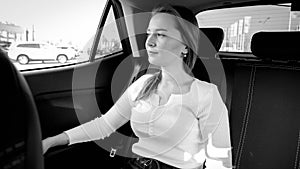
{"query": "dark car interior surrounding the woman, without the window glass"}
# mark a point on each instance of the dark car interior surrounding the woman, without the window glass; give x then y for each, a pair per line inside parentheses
(260, 90)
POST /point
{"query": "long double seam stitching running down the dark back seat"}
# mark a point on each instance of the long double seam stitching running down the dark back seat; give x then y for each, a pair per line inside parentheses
(246, 117)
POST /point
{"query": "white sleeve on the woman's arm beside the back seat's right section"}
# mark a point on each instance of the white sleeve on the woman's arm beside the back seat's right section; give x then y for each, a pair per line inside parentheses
(216, 130)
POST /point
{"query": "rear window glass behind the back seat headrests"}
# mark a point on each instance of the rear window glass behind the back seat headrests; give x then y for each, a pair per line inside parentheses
(239, 24)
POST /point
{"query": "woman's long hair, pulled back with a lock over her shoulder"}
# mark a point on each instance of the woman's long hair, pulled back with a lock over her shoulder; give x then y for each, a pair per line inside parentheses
(188, 26)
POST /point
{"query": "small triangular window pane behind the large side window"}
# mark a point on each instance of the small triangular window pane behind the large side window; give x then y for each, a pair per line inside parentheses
(109, 40)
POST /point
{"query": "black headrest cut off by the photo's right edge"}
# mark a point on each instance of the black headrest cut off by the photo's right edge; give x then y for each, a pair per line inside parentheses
(276, 45)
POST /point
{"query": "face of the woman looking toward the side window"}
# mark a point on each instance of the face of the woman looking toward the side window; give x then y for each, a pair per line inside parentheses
(164, 42)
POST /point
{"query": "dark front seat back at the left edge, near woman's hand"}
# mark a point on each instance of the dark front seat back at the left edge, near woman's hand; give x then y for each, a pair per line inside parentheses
(20, 143)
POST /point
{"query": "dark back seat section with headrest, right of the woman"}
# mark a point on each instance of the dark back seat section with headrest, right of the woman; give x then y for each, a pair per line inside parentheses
(265, 111)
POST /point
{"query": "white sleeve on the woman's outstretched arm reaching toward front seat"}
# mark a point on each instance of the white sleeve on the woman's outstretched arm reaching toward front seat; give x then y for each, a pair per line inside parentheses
(103, 126)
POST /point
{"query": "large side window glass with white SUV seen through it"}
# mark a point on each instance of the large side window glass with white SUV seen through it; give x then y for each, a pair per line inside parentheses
(60, 26)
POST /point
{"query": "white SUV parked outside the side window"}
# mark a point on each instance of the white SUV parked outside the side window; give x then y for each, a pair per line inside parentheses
(24, 52)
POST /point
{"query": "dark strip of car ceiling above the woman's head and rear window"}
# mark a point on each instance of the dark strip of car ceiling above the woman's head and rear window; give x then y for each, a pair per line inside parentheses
(199, 5)
